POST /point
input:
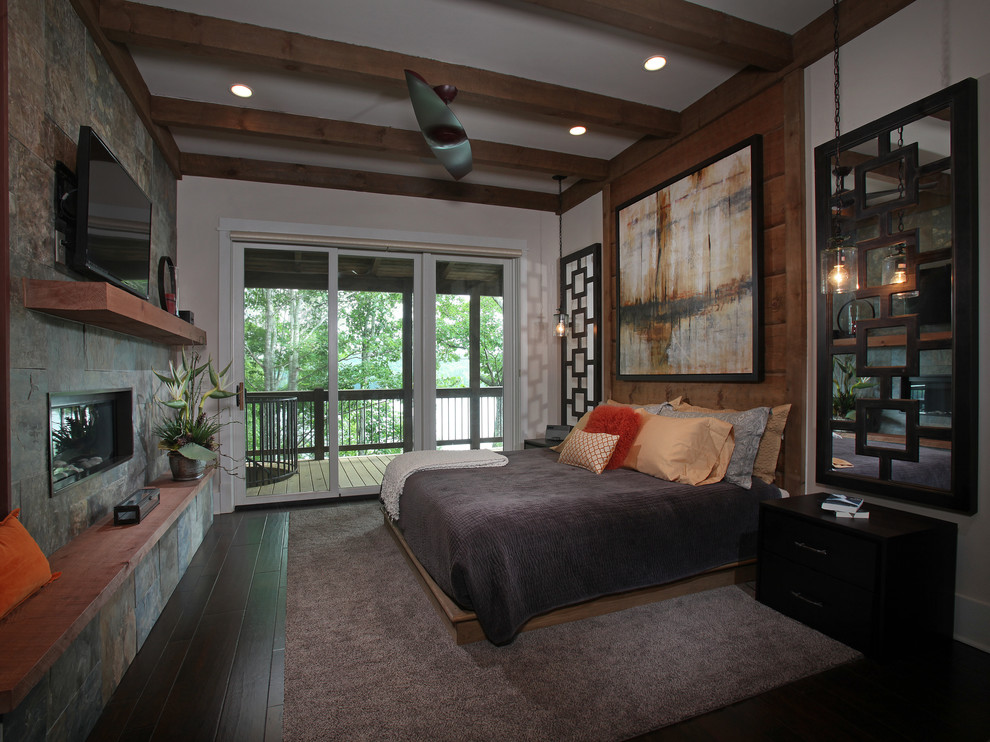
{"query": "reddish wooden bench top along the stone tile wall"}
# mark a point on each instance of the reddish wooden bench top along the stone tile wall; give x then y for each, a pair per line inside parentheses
(94, 566)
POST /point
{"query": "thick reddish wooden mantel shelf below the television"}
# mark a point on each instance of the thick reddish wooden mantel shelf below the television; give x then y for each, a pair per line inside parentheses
(106, 306)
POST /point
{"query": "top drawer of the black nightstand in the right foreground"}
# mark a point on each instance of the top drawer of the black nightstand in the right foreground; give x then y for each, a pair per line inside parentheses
(845, 556)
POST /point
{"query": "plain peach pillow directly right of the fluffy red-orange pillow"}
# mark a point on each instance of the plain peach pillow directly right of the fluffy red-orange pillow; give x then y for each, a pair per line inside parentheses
(692, 450)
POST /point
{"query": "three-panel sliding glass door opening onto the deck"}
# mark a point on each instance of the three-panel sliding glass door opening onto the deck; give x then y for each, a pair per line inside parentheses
(346, 365)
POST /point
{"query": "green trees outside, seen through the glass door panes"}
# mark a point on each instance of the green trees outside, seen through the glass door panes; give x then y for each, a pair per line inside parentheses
(286, 341)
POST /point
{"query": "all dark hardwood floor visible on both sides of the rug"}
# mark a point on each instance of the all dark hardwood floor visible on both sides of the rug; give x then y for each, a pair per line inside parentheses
(212, 668)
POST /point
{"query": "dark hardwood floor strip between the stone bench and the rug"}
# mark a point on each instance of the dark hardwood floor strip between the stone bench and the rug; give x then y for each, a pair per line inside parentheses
(212, 666)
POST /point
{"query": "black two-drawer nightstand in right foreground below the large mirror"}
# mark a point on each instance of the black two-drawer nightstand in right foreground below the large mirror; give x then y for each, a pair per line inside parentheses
(877, 584)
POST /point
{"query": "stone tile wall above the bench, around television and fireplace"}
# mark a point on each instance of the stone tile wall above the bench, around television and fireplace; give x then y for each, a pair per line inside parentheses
(59, 81)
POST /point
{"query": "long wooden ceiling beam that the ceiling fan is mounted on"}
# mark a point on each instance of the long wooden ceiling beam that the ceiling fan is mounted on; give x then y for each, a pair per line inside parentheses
(215, 38)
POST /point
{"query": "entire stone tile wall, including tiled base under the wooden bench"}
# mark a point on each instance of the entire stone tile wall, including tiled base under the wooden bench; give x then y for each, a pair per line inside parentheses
(59, 81)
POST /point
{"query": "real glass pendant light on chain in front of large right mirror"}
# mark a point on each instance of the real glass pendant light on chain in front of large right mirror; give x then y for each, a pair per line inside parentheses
(839, 262)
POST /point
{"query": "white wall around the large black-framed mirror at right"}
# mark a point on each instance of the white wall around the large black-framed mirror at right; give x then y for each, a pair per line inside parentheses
(924, 48)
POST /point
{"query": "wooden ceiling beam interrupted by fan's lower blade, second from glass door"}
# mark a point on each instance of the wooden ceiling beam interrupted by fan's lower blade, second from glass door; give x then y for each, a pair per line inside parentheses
(215, 117)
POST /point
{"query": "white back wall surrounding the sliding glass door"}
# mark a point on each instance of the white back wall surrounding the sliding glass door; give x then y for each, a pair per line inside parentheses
(204, 202)
